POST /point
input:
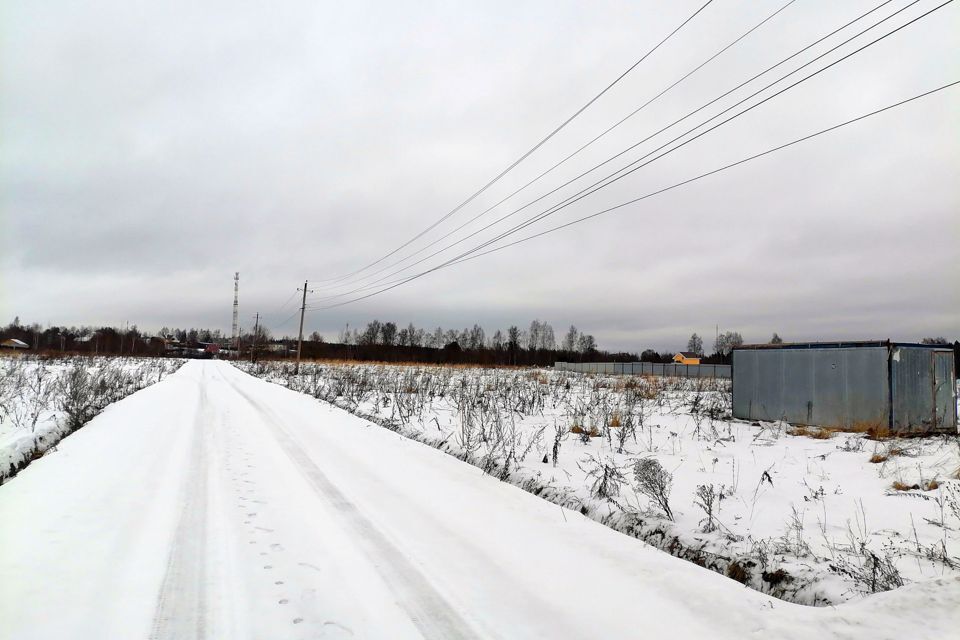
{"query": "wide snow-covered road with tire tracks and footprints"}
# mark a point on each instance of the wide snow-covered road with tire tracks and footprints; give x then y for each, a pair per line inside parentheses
(216, 505)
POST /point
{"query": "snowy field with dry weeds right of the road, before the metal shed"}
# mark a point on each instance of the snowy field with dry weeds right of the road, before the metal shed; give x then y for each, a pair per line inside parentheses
(811, 517)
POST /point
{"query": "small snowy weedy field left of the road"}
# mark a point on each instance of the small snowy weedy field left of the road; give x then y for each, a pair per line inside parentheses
(44, 400)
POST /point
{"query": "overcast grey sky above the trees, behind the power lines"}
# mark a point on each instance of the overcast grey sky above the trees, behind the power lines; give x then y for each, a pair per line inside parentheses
(149, 150)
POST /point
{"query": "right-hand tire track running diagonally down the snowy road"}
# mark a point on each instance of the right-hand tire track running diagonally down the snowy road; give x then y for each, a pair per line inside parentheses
(427, 608)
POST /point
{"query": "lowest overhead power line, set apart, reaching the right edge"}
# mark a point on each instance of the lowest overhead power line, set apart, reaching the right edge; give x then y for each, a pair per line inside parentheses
(464, 258)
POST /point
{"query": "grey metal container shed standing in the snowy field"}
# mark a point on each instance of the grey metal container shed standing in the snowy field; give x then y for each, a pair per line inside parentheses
(908, 387)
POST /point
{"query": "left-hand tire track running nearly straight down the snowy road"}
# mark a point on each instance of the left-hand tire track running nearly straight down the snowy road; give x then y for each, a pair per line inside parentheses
(181, 605)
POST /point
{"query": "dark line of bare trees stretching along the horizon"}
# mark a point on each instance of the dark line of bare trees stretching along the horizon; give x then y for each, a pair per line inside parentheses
(534, 345)
